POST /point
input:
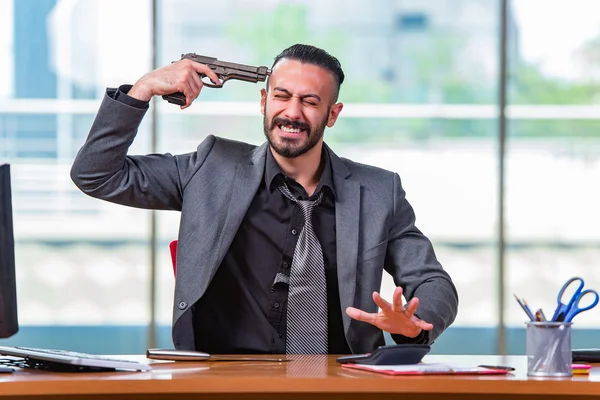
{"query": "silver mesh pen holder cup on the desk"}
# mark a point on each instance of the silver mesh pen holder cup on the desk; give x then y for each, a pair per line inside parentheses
(549, 349)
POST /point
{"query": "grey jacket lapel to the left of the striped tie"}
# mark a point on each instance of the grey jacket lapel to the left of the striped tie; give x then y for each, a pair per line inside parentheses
(245, 184)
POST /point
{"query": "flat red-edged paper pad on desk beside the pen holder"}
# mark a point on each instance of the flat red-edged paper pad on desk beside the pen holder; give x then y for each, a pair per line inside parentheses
(426, 369)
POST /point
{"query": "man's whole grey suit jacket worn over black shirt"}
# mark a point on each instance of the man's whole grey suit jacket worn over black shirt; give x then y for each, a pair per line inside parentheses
(213, 188)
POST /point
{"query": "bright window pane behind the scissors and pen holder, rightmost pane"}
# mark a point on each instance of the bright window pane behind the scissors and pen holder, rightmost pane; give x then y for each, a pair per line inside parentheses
(552, 158)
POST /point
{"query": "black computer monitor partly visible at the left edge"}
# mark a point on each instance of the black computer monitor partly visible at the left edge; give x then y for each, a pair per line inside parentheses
(8, 289)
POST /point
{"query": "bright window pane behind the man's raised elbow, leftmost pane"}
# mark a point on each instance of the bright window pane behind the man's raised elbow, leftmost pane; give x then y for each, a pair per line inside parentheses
(81, 262)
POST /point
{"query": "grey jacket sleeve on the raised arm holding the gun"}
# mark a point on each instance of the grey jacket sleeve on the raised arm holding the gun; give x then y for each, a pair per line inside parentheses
(102, 168)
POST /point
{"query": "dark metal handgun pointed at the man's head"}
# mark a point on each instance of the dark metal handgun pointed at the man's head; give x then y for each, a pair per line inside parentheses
(224, 70)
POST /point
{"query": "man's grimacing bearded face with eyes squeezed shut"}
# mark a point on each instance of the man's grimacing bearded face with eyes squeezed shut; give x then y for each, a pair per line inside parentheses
(298, 107)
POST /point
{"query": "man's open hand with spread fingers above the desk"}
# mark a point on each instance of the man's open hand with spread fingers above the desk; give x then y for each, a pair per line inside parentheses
(393, 317)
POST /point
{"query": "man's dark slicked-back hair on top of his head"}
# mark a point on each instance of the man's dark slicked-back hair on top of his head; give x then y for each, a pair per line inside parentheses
(308, 54)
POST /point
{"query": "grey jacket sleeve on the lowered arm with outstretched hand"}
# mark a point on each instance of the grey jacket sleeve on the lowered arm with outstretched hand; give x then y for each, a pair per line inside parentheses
(411, 260)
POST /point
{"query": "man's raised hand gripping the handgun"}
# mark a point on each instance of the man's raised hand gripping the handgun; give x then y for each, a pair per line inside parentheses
(181, 76)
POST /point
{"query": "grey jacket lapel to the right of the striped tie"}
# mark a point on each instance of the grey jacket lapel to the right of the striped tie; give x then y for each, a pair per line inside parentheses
(347, 212)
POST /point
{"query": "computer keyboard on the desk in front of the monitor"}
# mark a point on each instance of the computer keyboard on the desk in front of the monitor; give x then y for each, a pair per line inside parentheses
(64, 360)
